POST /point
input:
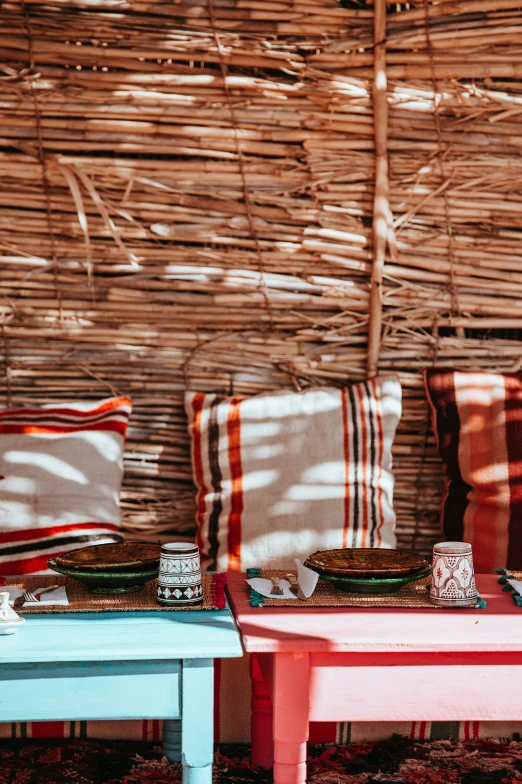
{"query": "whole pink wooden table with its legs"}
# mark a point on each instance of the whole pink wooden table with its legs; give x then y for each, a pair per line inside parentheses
(358, 664)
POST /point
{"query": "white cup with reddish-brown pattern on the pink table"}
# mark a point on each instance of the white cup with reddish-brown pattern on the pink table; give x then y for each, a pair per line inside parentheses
(453, 579)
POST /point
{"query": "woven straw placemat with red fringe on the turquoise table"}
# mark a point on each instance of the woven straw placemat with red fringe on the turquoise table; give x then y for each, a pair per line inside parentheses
(81, 600)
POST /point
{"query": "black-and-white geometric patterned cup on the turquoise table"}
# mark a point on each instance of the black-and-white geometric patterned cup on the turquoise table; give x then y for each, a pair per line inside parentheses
(179, 579)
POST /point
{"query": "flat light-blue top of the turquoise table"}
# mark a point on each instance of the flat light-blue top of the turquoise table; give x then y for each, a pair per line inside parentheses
(122, 636)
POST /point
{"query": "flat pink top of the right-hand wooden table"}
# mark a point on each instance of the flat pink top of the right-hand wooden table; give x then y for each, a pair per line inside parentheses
(498, 627)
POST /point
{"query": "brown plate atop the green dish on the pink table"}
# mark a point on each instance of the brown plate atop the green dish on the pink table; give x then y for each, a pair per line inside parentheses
(366, 562)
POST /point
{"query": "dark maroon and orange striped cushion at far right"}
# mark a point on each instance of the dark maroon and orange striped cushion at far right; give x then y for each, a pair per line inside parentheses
(477, 419)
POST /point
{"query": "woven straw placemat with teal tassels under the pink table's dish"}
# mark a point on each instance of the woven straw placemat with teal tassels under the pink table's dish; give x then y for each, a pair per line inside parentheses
(414, 595)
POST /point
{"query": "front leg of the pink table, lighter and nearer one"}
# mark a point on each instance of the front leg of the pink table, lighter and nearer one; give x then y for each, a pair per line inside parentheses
(291, 704)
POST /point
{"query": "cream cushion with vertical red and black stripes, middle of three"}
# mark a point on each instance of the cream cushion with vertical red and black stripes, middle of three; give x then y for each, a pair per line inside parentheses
(283, 474)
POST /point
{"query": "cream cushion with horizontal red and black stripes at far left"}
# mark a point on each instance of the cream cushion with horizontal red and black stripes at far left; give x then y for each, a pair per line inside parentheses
(60, 474)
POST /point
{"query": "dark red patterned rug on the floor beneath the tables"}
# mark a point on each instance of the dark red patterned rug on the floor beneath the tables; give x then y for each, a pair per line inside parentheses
(398, 761)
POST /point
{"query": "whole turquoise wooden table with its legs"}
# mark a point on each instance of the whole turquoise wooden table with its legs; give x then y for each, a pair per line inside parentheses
(122, 665)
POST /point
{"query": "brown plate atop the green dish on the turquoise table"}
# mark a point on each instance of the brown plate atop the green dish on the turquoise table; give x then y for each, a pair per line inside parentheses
(112, 557)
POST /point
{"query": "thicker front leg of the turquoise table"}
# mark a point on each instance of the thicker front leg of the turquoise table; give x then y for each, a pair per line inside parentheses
(197, 706)
